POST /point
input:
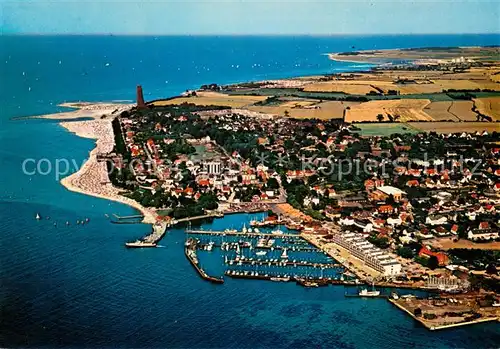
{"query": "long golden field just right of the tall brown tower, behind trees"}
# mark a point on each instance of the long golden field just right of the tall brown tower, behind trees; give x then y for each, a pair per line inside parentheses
(214, 98)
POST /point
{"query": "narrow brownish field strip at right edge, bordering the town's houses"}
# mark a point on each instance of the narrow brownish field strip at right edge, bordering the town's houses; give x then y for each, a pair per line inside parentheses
(454, 127)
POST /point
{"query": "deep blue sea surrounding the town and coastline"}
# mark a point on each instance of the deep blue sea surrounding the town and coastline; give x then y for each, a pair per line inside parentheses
(77, 286)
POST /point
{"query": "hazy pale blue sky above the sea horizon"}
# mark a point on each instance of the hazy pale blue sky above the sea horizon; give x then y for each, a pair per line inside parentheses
(240, 17)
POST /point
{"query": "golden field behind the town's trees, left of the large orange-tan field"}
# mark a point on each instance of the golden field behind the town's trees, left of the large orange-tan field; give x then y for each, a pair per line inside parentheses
(307, 110)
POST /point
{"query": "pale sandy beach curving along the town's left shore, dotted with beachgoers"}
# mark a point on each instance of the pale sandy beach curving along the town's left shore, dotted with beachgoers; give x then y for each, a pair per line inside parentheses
(92, 178)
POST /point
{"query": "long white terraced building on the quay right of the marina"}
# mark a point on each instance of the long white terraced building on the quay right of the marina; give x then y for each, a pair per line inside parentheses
(373, 257)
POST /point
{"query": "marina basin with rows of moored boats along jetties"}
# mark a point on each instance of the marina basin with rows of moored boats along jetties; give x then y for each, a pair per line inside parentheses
(267, 256)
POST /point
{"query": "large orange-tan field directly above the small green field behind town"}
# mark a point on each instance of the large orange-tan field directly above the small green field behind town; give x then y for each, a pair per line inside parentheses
(406, 109)
